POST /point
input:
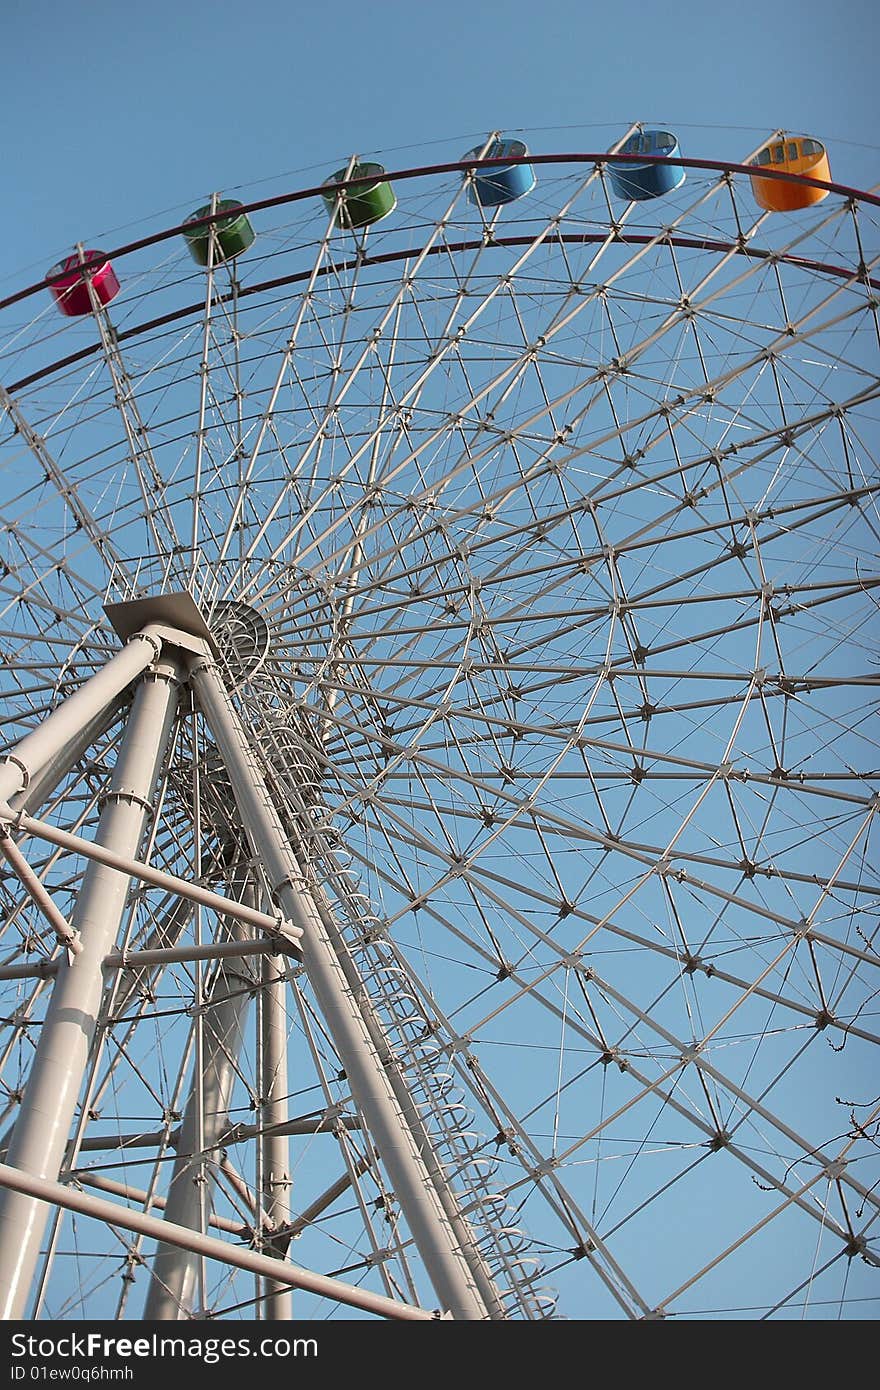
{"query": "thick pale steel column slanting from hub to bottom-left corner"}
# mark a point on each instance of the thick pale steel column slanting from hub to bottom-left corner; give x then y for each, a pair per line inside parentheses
(51, 1099)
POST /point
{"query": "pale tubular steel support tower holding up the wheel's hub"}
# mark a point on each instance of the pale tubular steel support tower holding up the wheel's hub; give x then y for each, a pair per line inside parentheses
(48, 1114)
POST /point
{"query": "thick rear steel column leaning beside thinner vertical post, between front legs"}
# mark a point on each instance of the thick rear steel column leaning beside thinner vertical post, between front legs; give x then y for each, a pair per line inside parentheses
(173, 1284)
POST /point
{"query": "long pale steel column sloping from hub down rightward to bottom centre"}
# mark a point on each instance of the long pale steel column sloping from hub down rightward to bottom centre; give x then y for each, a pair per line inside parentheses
(430, 1225)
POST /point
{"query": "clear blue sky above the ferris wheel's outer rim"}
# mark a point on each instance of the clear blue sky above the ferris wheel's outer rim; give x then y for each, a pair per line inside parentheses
(123, 117)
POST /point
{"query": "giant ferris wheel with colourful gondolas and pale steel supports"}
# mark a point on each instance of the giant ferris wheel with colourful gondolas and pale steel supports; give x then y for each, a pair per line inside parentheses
(439, 785)
